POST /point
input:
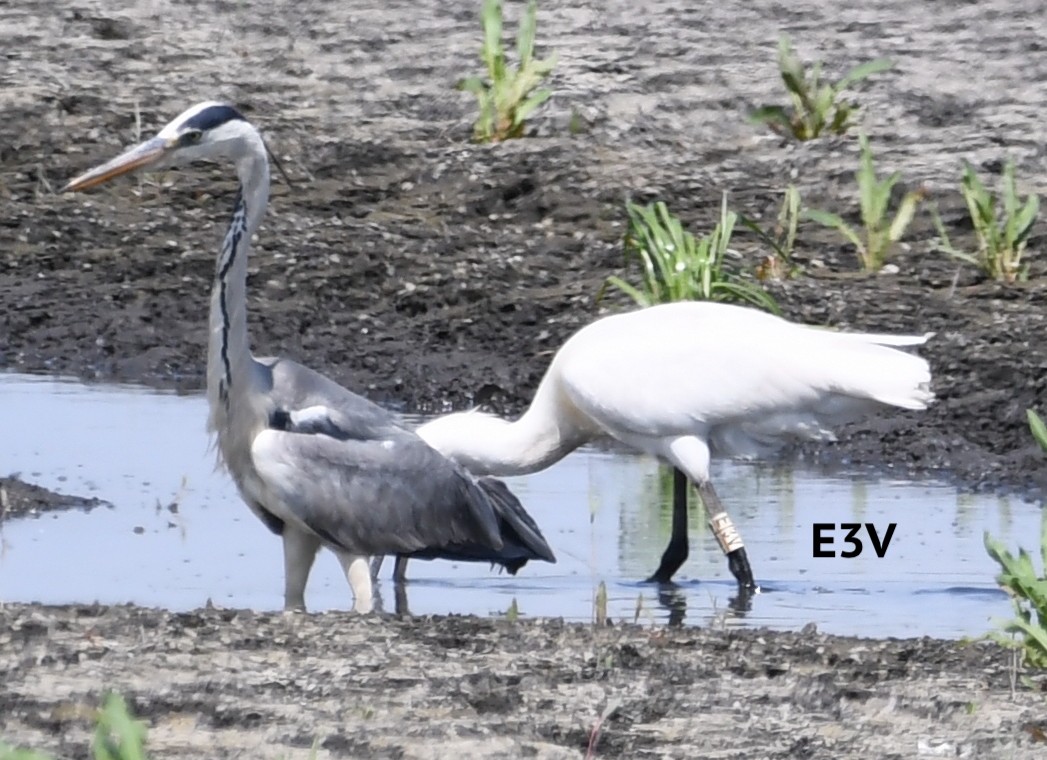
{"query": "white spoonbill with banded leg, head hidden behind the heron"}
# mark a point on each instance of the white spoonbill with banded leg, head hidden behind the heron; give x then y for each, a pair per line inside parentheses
(683, 383)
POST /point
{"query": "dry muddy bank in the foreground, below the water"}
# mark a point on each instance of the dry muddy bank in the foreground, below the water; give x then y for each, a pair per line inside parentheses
(225, 684)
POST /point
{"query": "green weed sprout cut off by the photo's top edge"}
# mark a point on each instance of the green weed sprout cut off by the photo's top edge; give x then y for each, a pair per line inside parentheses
(510, 96)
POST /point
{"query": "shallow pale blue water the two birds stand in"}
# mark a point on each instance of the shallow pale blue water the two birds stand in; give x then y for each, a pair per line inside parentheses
(179, 534)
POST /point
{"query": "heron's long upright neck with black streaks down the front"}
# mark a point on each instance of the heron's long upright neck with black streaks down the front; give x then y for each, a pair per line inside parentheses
(231, 368)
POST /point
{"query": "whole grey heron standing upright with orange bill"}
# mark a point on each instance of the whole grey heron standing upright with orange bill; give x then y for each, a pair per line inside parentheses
(317, 463)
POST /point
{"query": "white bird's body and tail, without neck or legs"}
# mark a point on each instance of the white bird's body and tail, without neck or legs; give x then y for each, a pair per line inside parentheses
(741, 376)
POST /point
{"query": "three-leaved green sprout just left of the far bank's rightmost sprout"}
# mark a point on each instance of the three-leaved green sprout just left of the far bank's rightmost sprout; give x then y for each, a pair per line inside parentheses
(881, 231)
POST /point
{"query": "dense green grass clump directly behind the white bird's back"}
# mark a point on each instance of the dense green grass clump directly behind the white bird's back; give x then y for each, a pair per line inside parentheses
(679, 267)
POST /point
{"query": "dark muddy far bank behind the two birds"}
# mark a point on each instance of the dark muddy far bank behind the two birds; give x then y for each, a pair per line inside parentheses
(429, 273)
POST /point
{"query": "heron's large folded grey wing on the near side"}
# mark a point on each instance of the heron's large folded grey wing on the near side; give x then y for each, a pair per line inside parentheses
(393, 496)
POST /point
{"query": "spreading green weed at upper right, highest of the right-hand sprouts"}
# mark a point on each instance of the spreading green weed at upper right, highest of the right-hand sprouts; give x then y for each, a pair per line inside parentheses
(816, 106)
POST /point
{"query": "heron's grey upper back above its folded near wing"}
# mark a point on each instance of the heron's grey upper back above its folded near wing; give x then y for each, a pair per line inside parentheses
(293, 387)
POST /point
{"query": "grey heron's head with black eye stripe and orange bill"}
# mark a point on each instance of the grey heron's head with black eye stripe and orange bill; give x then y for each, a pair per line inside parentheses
(207, 131)
